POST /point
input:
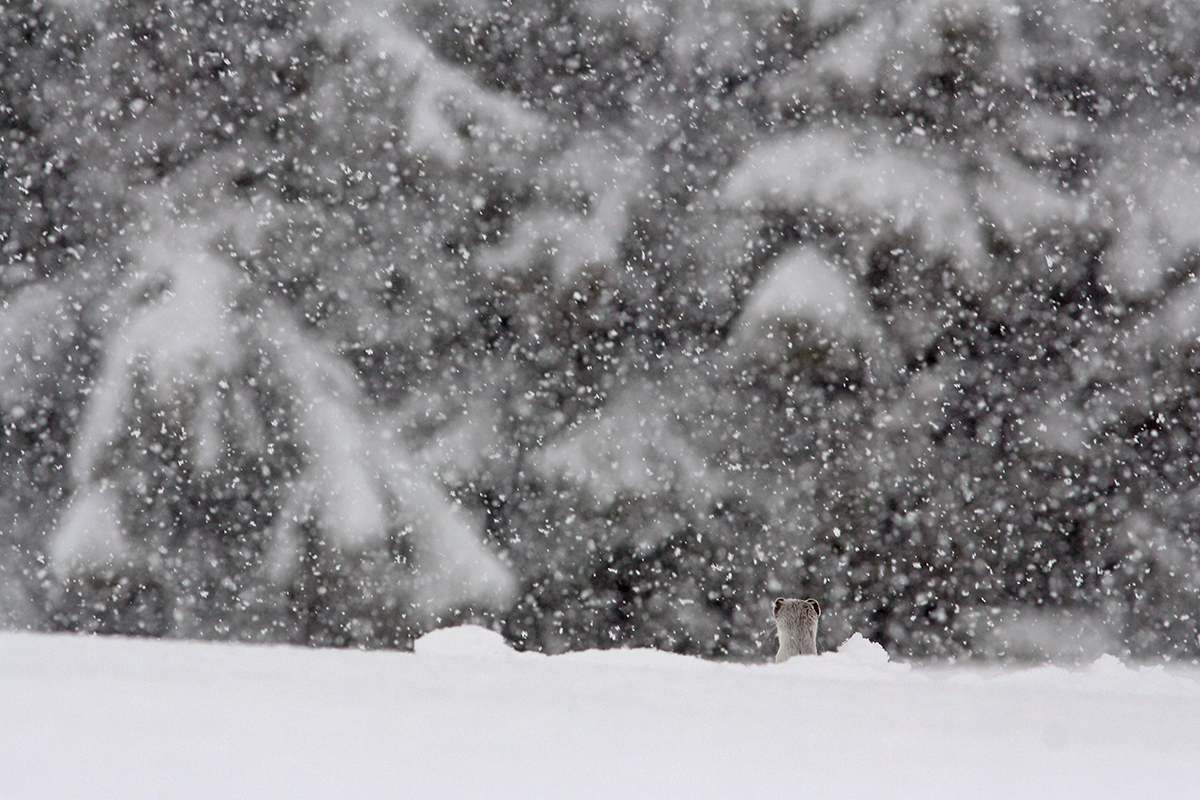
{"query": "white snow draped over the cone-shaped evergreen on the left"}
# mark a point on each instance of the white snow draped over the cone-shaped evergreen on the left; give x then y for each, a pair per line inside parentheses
(188, 350)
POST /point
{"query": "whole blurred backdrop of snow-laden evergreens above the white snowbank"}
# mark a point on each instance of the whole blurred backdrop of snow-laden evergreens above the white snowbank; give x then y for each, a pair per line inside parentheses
(604, 323)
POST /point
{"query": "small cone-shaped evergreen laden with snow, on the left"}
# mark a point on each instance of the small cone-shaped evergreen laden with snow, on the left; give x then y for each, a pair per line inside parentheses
(225, 449)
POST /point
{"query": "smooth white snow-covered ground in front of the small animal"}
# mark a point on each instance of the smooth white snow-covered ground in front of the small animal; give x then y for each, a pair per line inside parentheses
(88, 718)
